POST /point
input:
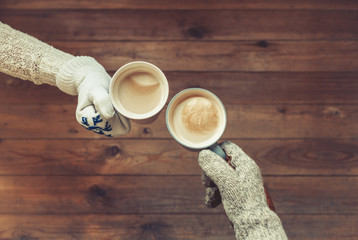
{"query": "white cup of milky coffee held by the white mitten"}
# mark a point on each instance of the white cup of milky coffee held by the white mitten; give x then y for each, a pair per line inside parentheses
(139, 91)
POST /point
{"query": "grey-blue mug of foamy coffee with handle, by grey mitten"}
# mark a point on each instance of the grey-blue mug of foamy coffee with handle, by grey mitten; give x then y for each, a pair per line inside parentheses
(196, 119)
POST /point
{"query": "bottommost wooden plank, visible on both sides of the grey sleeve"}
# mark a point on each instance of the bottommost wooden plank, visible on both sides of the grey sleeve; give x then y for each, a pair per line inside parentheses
(173, 227)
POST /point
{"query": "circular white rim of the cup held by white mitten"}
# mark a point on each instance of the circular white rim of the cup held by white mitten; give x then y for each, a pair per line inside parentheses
(136, 116)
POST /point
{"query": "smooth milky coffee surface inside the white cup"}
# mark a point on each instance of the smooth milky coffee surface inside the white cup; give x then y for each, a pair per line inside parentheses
(139, 92)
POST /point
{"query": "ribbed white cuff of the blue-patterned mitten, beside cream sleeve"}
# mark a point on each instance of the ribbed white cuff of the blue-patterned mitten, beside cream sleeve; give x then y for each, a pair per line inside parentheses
(72, 73)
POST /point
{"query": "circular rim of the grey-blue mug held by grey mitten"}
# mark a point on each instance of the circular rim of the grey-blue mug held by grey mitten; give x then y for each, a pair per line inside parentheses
(181, 142)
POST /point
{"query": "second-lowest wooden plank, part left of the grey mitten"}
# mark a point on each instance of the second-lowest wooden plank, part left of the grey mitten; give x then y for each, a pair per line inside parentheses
(110, 194)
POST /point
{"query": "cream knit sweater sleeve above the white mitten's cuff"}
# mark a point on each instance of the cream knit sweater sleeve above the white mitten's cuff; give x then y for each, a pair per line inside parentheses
(27, 58)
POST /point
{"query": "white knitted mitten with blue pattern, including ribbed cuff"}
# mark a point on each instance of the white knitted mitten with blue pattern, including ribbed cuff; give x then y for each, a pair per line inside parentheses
(87, 78)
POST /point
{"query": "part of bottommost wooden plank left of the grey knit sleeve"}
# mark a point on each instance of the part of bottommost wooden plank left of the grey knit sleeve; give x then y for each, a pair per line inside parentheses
(141, 227)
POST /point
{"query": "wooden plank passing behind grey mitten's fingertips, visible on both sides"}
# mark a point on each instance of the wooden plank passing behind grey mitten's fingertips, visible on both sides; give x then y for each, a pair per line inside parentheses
(163, 157)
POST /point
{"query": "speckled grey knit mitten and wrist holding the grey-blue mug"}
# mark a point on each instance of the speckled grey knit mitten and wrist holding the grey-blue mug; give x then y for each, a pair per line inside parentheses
(242, 194)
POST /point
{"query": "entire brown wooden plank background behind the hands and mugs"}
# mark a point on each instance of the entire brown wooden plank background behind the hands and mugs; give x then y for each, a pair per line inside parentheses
(285, 70)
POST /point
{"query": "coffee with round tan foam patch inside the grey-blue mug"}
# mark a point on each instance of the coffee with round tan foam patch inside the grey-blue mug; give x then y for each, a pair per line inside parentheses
(196, 119)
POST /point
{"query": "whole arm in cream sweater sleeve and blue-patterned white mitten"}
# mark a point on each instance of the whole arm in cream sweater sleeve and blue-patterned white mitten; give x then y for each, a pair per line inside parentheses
(28, 58)
